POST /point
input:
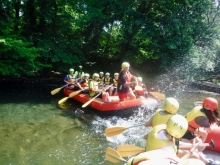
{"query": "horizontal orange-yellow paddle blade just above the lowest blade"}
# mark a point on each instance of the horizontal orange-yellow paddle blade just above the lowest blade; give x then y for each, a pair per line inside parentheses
(129, 150)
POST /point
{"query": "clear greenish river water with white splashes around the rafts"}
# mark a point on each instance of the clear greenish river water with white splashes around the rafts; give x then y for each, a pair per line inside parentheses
(35, 130)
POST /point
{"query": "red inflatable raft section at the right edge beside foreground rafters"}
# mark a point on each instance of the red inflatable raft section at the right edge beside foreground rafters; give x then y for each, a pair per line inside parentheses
(215, 136)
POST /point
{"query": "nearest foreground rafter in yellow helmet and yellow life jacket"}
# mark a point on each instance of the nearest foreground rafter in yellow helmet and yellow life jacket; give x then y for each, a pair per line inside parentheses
(161, 138)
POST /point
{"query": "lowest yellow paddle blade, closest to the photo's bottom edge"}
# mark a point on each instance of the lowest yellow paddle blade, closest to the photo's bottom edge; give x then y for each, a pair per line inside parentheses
(113, 156)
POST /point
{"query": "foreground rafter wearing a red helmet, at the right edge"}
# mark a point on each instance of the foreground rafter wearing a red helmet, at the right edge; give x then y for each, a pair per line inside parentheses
(201, 117)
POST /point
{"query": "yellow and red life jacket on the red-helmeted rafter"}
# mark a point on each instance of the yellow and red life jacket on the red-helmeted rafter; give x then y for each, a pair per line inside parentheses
(191, 116)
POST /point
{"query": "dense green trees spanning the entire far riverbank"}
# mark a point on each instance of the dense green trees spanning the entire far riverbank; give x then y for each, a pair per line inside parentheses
(60, 34)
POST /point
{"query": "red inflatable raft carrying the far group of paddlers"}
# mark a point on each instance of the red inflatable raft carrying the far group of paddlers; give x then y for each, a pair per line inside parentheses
(114, 106)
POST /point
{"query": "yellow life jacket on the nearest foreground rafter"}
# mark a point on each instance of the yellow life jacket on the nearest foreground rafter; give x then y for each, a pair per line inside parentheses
(154, 143)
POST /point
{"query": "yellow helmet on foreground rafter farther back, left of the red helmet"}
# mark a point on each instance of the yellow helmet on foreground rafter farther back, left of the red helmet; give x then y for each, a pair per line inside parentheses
(171, 105)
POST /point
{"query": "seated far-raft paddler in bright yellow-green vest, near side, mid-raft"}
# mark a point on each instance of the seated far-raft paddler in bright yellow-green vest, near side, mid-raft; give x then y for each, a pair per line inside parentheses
(94, 86)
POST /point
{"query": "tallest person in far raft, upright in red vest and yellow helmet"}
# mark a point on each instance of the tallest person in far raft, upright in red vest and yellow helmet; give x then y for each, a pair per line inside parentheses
(125, 82)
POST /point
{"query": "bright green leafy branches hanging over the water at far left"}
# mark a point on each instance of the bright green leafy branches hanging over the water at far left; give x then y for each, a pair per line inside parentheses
(17, 57)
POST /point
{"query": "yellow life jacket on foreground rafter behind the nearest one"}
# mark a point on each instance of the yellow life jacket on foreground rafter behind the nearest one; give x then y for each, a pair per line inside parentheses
(159, 118)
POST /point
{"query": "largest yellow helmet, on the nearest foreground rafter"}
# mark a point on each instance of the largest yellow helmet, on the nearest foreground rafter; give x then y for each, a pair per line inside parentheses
(177, 126)
